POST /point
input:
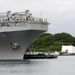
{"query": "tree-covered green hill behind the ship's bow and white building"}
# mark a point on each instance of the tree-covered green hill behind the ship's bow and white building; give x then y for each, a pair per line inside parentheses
(50, 42)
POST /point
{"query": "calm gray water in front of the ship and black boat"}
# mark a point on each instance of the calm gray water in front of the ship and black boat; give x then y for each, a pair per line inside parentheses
(63, 65)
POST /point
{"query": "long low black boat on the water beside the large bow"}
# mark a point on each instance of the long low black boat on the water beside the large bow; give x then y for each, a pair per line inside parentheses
(39, 56)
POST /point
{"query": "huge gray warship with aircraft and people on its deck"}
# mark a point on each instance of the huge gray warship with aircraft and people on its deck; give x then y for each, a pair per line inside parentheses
(17, 31)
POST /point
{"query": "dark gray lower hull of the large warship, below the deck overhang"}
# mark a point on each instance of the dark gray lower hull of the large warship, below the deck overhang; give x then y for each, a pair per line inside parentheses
(22, 38)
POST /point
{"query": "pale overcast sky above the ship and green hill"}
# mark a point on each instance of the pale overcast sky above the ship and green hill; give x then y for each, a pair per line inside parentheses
(60, 13)
